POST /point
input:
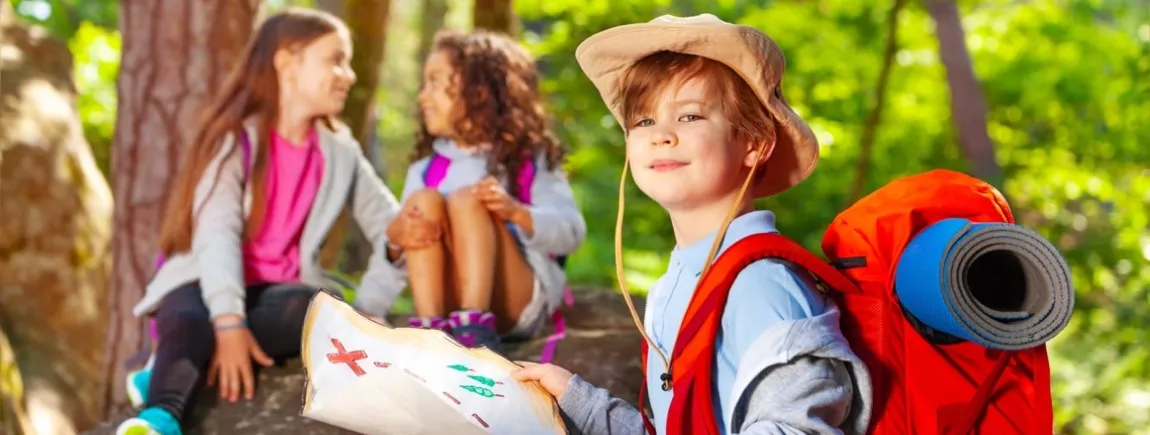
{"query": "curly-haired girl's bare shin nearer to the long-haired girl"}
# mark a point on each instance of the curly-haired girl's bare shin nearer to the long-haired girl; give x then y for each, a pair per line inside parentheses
(427, 266)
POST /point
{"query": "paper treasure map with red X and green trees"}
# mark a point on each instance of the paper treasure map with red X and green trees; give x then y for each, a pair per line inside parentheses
(372, 379)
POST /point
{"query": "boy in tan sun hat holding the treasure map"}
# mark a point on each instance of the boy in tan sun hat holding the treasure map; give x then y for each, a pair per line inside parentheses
(707, 124)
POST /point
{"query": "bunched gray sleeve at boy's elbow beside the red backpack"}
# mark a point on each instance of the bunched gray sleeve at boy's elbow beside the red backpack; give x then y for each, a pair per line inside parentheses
(806, 396)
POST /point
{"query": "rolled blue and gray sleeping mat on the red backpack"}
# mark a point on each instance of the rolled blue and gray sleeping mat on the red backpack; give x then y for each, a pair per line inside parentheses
(998, 285)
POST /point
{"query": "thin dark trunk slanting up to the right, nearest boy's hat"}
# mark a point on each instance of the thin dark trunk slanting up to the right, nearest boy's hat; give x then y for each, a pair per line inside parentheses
(871, 129)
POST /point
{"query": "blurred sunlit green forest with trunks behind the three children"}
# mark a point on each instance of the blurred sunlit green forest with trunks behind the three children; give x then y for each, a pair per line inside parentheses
(1047, 100)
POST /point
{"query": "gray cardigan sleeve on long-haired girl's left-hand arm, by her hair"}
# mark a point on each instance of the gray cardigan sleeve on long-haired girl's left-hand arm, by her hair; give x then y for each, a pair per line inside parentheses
(218, 238)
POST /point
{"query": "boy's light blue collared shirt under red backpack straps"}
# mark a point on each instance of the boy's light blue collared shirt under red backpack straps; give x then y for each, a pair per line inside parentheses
(766, 293)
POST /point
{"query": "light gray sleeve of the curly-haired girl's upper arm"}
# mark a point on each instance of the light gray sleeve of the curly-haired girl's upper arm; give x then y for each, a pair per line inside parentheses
(558, 223)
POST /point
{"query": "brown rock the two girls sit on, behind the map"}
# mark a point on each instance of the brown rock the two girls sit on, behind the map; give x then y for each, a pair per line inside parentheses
(602, 346)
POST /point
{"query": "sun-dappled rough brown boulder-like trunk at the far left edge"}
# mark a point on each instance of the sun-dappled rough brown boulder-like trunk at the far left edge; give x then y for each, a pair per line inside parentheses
(55, 236)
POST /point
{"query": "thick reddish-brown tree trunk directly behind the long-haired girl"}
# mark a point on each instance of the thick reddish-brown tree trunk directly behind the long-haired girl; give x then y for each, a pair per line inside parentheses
(175, 56)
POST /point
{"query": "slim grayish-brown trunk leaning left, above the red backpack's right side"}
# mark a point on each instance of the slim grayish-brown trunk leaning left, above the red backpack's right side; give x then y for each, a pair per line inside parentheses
(969, 108)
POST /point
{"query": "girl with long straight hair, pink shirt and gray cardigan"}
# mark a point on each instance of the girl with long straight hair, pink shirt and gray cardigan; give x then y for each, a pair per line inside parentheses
(260, 188)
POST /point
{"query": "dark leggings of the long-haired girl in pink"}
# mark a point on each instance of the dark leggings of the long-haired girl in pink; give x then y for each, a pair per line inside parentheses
(187, 342)
